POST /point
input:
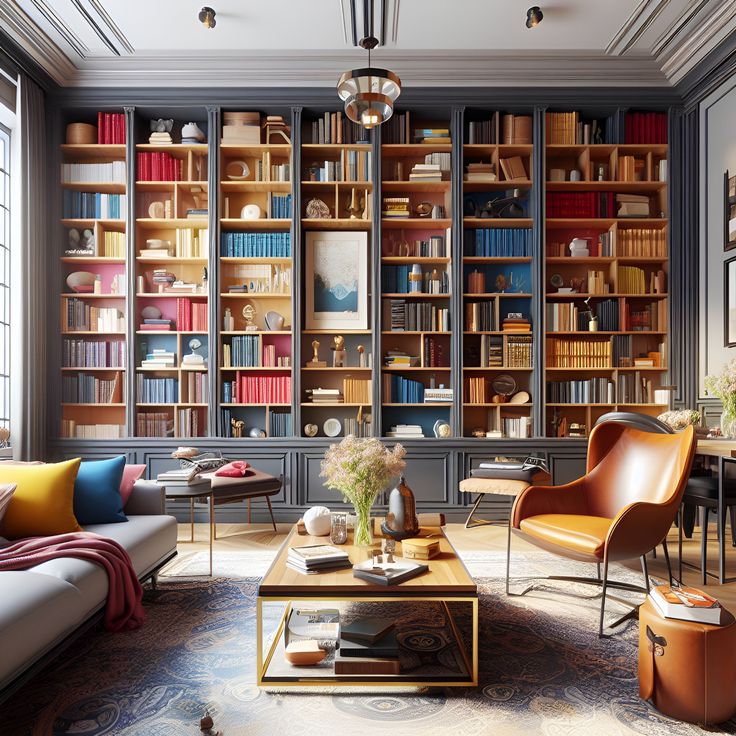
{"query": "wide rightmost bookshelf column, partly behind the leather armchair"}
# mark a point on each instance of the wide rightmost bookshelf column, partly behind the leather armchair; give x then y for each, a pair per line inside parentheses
(618, 205)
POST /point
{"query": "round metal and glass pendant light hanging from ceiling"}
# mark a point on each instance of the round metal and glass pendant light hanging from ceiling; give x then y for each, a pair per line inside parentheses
(369, 93)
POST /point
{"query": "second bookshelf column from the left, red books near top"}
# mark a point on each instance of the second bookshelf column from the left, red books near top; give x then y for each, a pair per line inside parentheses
(171, 241)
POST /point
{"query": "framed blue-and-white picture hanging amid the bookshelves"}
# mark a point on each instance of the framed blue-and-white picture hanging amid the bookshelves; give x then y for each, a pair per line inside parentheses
(336, 280)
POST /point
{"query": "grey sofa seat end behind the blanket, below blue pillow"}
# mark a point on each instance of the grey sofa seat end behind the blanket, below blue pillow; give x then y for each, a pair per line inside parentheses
(146, 538)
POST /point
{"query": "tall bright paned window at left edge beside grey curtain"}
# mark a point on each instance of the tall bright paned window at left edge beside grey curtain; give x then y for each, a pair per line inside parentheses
(4, 277)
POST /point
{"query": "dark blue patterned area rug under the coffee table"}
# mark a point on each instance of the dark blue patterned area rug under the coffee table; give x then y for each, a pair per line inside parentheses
(543, 669)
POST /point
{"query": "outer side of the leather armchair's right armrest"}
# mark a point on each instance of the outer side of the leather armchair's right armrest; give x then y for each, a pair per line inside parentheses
(638, 528)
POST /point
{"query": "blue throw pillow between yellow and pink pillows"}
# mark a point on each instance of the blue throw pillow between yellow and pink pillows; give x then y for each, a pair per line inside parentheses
(97, 497)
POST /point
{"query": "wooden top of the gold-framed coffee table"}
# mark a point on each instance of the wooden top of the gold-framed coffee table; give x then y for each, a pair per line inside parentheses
(446, 575)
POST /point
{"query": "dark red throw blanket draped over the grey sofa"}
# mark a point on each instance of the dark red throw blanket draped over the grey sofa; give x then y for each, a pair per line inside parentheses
(124, 610)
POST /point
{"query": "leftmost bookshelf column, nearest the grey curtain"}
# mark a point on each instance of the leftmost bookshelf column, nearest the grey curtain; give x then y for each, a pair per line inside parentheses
(93, 345)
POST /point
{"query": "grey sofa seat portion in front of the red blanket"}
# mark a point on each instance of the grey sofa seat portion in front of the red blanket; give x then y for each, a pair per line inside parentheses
(37, 612)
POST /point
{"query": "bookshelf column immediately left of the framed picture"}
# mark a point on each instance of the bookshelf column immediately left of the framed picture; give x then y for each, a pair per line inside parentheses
(256, 268)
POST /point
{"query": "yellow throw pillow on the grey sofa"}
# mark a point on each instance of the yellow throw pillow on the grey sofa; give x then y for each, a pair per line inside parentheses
(43, 502)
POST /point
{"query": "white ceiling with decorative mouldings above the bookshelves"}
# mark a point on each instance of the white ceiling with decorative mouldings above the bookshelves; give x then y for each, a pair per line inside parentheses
(309, 42)
